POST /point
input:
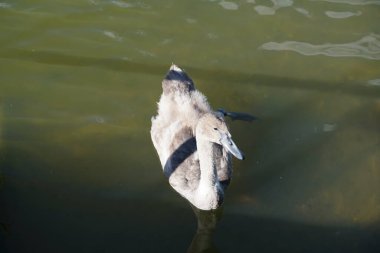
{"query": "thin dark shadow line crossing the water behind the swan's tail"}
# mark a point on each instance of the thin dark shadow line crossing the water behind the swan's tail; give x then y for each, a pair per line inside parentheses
(221, 75)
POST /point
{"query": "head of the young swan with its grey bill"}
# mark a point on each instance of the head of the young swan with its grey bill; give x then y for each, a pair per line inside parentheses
(213, 128)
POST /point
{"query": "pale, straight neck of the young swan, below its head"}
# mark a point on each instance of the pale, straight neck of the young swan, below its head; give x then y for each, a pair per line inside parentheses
(209, 193)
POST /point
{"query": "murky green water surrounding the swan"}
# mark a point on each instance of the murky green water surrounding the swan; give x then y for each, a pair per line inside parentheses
(79, 81)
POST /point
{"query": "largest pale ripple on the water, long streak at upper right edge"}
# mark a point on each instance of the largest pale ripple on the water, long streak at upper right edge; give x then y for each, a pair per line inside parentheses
(367, 47)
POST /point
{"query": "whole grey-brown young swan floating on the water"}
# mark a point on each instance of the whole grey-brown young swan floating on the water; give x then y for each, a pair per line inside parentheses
(192, 142)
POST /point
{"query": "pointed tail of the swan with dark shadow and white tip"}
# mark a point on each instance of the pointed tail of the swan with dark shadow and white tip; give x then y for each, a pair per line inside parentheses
(177, 80)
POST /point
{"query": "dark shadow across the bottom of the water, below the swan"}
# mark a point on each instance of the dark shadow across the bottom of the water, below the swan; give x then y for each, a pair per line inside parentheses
(84, 224)
